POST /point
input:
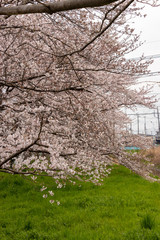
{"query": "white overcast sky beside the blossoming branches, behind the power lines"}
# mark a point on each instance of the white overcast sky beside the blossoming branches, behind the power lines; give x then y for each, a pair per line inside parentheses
(149, 27)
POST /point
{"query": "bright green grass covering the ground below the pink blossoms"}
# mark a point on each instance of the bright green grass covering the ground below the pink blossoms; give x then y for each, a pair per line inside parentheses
(125, 207)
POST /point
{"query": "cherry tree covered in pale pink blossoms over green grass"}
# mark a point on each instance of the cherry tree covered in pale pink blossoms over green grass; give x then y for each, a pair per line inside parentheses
(63, 81)
